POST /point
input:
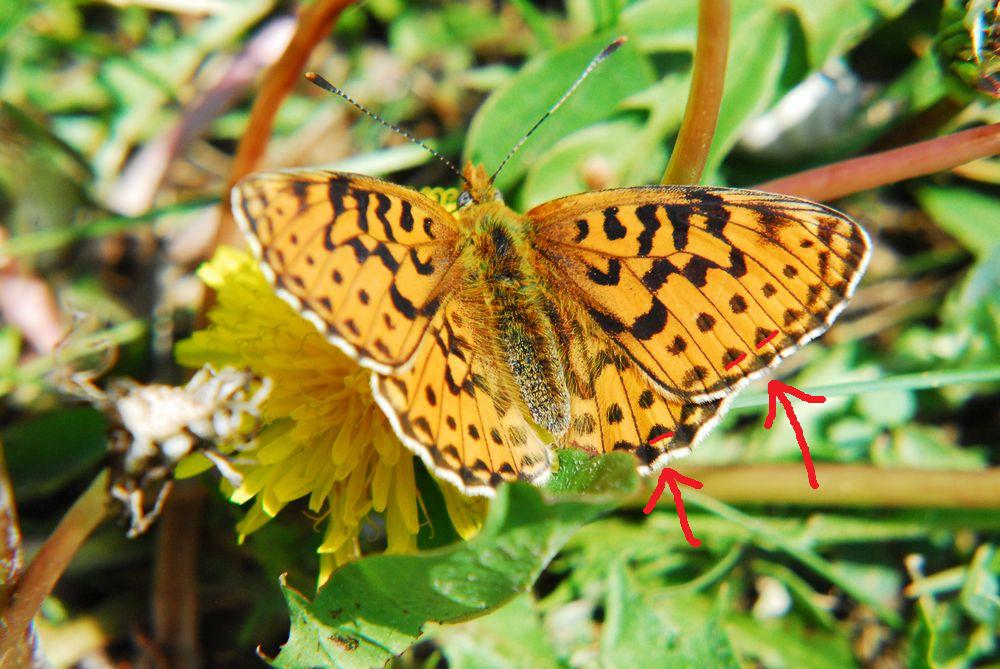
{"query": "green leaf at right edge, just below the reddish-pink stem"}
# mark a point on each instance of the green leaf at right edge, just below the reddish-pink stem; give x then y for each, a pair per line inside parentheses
(970, 216)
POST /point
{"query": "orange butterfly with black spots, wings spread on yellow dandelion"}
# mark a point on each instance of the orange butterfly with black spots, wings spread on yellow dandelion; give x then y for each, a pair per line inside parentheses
(615, 320)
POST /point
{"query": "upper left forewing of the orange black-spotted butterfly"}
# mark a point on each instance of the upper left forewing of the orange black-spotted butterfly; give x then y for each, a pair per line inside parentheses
(368, 262)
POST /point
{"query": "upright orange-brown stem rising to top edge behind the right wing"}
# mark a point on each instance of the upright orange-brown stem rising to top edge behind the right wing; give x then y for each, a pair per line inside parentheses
(701, 112)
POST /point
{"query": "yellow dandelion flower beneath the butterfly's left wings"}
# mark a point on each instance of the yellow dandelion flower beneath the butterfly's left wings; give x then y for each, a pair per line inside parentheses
(325, 439)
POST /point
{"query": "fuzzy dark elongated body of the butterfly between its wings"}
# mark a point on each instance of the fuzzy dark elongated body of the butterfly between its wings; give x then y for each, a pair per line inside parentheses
(500, 274)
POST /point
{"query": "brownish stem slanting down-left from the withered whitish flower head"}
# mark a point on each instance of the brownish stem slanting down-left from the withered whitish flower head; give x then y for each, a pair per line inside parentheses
(48, 565)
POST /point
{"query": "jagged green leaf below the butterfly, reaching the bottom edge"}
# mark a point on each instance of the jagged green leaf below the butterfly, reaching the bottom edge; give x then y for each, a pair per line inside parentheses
(375, 608)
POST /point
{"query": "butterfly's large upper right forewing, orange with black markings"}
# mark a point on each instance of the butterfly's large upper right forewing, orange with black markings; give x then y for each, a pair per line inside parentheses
(703, 288)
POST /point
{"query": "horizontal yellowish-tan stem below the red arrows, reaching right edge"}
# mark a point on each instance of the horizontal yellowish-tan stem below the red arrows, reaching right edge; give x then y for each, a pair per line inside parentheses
(846, 486)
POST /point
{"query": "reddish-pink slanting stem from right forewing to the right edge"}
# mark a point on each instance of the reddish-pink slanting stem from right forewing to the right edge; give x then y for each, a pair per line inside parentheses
(857, 174)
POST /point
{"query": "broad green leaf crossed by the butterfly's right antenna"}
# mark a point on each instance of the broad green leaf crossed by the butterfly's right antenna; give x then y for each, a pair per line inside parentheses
(510, 112)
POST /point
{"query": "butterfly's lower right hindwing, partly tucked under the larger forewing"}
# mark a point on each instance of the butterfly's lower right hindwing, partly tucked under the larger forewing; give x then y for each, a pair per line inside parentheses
(615, 407)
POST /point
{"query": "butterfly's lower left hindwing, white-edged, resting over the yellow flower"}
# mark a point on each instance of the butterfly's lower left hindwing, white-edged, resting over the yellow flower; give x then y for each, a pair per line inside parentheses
(456, 407)
